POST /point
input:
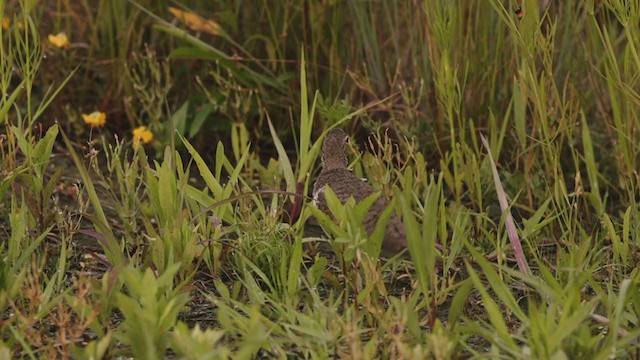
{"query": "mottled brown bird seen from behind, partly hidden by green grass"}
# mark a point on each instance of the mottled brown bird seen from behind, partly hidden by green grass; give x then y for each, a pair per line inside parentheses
(336, 175)
